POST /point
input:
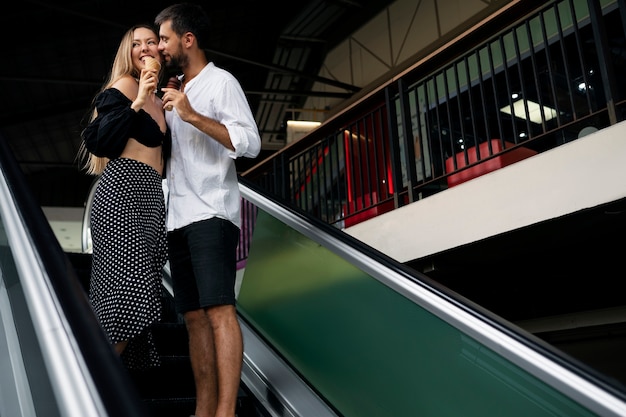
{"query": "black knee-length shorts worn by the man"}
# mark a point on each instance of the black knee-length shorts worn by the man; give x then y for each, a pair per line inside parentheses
(203, 263)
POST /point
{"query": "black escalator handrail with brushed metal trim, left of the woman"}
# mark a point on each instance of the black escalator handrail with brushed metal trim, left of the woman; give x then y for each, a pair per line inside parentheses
(86, 375)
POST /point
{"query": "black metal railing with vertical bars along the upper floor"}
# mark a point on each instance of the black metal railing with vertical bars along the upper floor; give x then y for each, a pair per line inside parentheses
(541, 81)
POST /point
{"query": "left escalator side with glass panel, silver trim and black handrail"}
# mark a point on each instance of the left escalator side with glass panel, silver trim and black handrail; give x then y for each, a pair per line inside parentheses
(61, 361)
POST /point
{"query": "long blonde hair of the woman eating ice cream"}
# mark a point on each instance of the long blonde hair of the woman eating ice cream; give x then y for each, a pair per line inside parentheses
(122, 66)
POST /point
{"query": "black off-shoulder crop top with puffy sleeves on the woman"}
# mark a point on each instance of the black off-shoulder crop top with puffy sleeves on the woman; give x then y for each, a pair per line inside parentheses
(107, 134)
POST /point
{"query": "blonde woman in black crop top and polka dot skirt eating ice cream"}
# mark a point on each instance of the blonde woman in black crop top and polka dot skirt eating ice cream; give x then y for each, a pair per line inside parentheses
(126, 141)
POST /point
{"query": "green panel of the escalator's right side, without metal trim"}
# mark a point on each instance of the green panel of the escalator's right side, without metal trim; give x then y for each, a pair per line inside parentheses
(370, 351)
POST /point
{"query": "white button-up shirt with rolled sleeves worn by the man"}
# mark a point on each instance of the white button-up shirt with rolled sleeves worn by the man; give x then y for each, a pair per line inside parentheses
(201, 174)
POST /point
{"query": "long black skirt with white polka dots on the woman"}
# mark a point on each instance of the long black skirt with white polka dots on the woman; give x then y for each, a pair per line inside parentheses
(129, 251)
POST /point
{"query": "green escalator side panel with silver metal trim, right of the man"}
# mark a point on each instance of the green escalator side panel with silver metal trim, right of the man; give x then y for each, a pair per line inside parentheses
(372, 342)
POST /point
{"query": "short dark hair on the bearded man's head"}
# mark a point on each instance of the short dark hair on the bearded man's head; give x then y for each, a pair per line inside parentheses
(187, 17)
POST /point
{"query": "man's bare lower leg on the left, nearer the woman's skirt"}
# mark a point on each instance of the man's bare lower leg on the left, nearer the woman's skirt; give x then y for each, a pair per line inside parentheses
(202, 354)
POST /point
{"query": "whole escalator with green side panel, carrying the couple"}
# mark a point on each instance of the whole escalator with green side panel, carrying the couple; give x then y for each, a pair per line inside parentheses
(331, 328)
